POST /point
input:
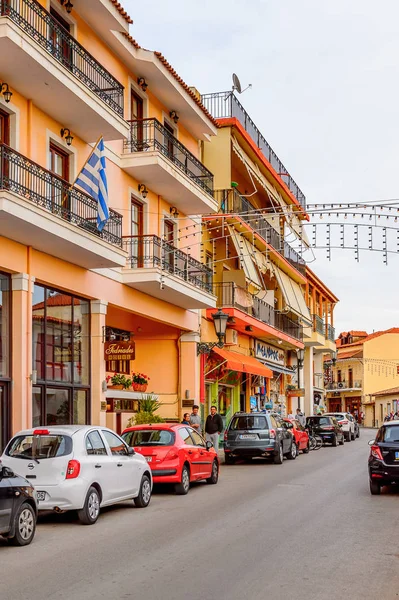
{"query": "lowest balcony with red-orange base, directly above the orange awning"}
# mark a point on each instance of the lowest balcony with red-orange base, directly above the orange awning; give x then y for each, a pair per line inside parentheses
(229, 295)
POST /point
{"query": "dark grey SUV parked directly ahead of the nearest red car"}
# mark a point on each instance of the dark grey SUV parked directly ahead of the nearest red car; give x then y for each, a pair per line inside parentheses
(258, 434)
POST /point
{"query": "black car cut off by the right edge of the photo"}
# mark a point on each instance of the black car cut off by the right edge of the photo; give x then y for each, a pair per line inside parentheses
(384, 457)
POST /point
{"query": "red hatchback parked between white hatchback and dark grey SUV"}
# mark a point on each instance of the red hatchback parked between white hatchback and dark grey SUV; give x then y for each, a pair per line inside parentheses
(176, 454)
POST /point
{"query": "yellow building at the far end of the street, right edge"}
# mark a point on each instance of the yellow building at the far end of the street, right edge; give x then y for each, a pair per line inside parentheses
(365, 364)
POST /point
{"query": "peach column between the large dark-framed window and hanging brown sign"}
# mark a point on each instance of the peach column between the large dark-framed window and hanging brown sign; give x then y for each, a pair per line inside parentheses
(98, 315)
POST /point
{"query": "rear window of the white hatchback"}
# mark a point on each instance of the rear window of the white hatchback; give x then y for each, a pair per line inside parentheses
(39, 446)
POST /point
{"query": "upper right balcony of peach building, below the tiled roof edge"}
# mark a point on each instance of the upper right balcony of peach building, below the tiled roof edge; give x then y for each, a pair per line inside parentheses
(156, 158)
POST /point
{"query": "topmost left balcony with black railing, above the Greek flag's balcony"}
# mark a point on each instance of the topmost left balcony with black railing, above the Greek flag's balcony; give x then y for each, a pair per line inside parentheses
(45, 62)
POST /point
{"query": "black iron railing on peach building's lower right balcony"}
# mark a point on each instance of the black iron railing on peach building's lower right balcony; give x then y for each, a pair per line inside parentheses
(149, 251)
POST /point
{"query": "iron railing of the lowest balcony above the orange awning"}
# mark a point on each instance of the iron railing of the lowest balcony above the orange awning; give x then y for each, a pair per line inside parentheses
(232, 295)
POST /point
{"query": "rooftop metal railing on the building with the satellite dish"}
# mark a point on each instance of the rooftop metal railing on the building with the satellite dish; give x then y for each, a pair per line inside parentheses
(225, 105)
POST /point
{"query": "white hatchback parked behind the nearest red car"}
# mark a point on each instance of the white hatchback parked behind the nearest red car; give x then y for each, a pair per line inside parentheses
(79, 467)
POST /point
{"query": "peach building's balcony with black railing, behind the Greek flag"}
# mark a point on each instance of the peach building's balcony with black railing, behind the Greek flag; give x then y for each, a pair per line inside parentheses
(41, 210)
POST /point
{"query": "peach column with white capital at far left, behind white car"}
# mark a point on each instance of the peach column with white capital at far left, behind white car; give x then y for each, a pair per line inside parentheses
(21, 353)
